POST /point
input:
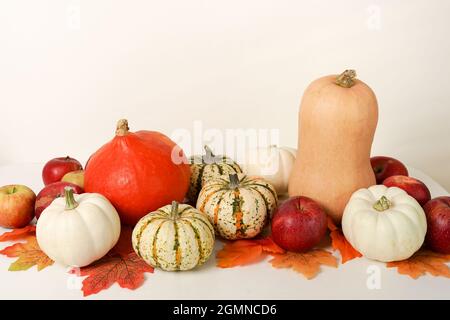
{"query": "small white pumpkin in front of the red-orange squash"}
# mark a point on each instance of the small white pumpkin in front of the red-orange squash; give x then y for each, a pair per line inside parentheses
(77, 230)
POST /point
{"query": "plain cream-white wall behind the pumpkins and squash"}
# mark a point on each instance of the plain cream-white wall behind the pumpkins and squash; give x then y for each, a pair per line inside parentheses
(70, 69)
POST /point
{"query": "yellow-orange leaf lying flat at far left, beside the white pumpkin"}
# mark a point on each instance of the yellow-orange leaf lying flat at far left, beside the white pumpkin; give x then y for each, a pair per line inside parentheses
(29, 255)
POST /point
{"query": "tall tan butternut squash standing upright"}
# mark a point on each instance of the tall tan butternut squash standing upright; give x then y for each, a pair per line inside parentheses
(337, 122)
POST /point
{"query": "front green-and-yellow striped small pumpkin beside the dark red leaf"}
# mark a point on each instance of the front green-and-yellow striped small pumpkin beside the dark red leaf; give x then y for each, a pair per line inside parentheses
(174, 238)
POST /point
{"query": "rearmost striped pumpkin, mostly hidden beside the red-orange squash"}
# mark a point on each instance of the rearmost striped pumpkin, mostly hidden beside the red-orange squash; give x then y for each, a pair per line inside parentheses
(207, 167)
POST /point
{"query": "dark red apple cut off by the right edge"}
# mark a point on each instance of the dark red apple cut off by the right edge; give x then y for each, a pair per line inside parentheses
(438, 224)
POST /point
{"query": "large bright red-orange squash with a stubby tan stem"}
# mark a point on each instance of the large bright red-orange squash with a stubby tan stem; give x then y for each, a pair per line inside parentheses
(137, 173)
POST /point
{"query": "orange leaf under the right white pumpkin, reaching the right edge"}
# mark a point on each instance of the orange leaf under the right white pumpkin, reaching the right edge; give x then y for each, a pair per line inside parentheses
(423, 262)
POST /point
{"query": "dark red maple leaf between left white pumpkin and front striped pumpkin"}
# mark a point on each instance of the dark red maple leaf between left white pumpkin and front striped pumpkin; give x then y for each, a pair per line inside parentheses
(121, 265)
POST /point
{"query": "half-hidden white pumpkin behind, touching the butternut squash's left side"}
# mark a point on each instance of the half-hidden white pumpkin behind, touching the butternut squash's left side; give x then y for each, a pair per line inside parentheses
(273, 164)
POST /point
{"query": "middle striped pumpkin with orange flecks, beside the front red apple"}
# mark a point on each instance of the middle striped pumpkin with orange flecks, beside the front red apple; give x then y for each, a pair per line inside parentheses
(237, 205)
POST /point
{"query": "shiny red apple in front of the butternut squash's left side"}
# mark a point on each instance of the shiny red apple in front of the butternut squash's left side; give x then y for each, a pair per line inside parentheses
(299, 224)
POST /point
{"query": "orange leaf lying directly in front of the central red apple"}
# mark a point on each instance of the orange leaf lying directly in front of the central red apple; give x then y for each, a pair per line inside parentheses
(307, 263)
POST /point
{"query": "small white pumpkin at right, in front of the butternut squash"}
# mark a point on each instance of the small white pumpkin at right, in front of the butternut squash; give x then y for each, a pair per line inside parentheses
(384, 224)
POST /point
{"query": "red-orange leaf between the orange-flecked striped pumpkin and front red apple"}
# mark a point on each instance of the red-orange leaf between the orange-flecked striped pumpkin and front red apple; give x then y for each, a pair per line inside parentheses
(245, 252)
